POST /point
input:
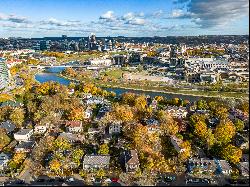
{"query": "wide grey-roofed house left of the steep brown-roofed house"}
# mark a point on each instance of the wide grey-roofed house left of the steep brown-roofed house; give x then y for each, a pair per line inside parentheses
(96, 161)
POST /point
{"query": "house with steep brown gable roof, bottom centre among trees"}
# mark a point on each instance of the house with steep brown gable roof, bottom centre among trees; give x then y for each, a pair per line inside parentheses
(131, 160)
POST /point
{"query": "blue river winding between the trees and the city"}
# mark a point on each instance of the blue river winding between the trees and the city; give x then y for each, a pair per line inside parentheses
(51, 74)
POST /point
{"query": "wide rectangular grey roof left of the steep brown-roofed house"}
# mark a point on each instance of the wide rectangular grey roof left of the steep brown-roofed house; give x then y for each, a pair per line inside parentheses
(96, 159)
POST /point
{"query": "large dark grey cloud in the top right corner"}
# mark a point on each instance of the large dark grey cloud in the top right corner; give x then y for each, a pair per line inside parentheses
(212, 13)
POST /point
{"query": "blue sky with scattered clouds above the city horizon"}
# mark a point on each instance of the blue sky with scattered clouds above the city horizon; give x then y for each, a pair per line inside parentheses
(51, 18)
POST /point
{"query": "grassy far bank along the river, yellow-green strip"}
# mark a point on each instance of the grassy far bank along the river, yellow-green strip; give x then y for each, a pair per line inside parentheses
(208, 94)
